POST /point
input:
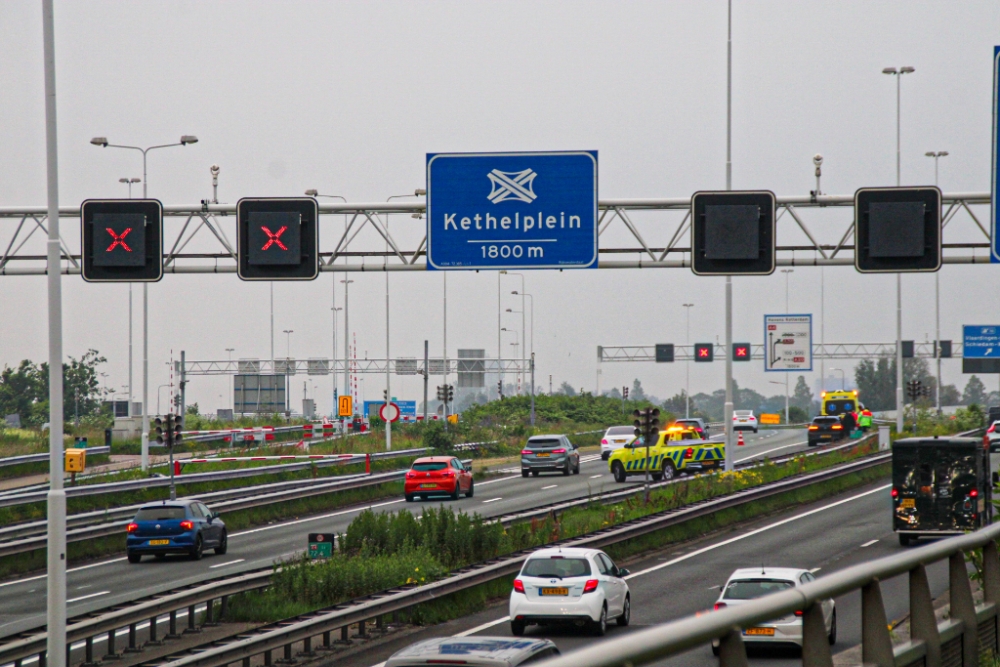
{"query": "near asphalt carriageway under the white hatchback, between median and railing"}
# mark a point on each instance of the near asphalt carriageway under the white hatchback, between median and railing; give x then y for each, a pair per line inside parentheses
(823, 537)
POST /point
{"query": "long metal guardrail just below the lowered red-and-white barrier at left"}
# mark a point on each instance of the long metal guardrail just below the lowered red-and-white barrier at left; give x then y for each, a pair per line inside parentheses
(145, 483)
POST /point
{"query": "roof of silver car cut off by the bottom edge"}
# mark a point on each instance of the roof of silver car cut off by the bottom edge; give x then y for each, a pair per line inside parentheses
(474, 652)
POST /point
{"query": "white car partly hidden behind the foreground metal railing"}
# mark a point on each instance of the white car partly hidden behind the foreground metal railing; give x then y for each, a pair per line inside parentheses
(751, 583)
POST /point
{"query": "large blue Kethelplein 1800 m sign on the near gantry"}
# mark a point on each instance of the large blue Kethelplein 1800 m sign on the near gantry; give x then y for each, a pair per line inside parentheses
(512, 210)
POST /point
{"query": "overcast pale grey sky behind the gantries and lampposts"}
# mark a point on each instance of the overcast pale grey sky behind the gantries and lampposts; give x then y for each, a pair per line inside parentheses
(349, 97)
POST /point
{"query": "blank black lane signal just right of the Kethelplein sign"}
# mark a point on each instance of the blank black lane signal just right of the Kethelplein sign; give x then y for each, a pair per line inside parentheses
(733, 233)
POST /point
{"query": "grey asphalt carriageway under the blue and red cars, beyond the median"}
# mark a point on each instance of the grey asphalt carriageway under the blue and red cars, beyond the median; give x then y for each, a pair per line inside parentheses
(103, 583)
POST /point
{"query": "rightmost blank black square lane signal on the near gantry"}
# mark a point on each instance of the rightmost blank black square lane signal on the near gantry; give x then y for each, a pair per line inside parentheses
(897, 229)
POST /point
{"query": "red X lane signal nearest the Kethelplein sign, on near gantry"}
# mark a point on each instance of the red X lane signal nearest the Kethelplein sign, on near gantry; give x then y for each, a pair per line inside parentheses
(278, 239)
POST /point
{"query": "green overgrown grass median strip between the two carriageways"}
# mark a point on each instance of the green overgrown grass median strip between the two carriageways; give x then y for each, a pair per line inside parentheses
(443, 540)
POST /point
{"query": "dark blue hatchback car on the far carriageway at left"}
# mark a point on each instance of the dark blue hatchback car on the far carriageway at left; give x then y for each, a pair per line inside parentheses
(175, 526)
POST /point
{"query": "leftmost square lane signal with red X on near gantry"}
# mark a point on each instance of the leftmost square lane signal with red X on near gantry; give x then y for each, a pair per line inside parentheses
(121, 240)
